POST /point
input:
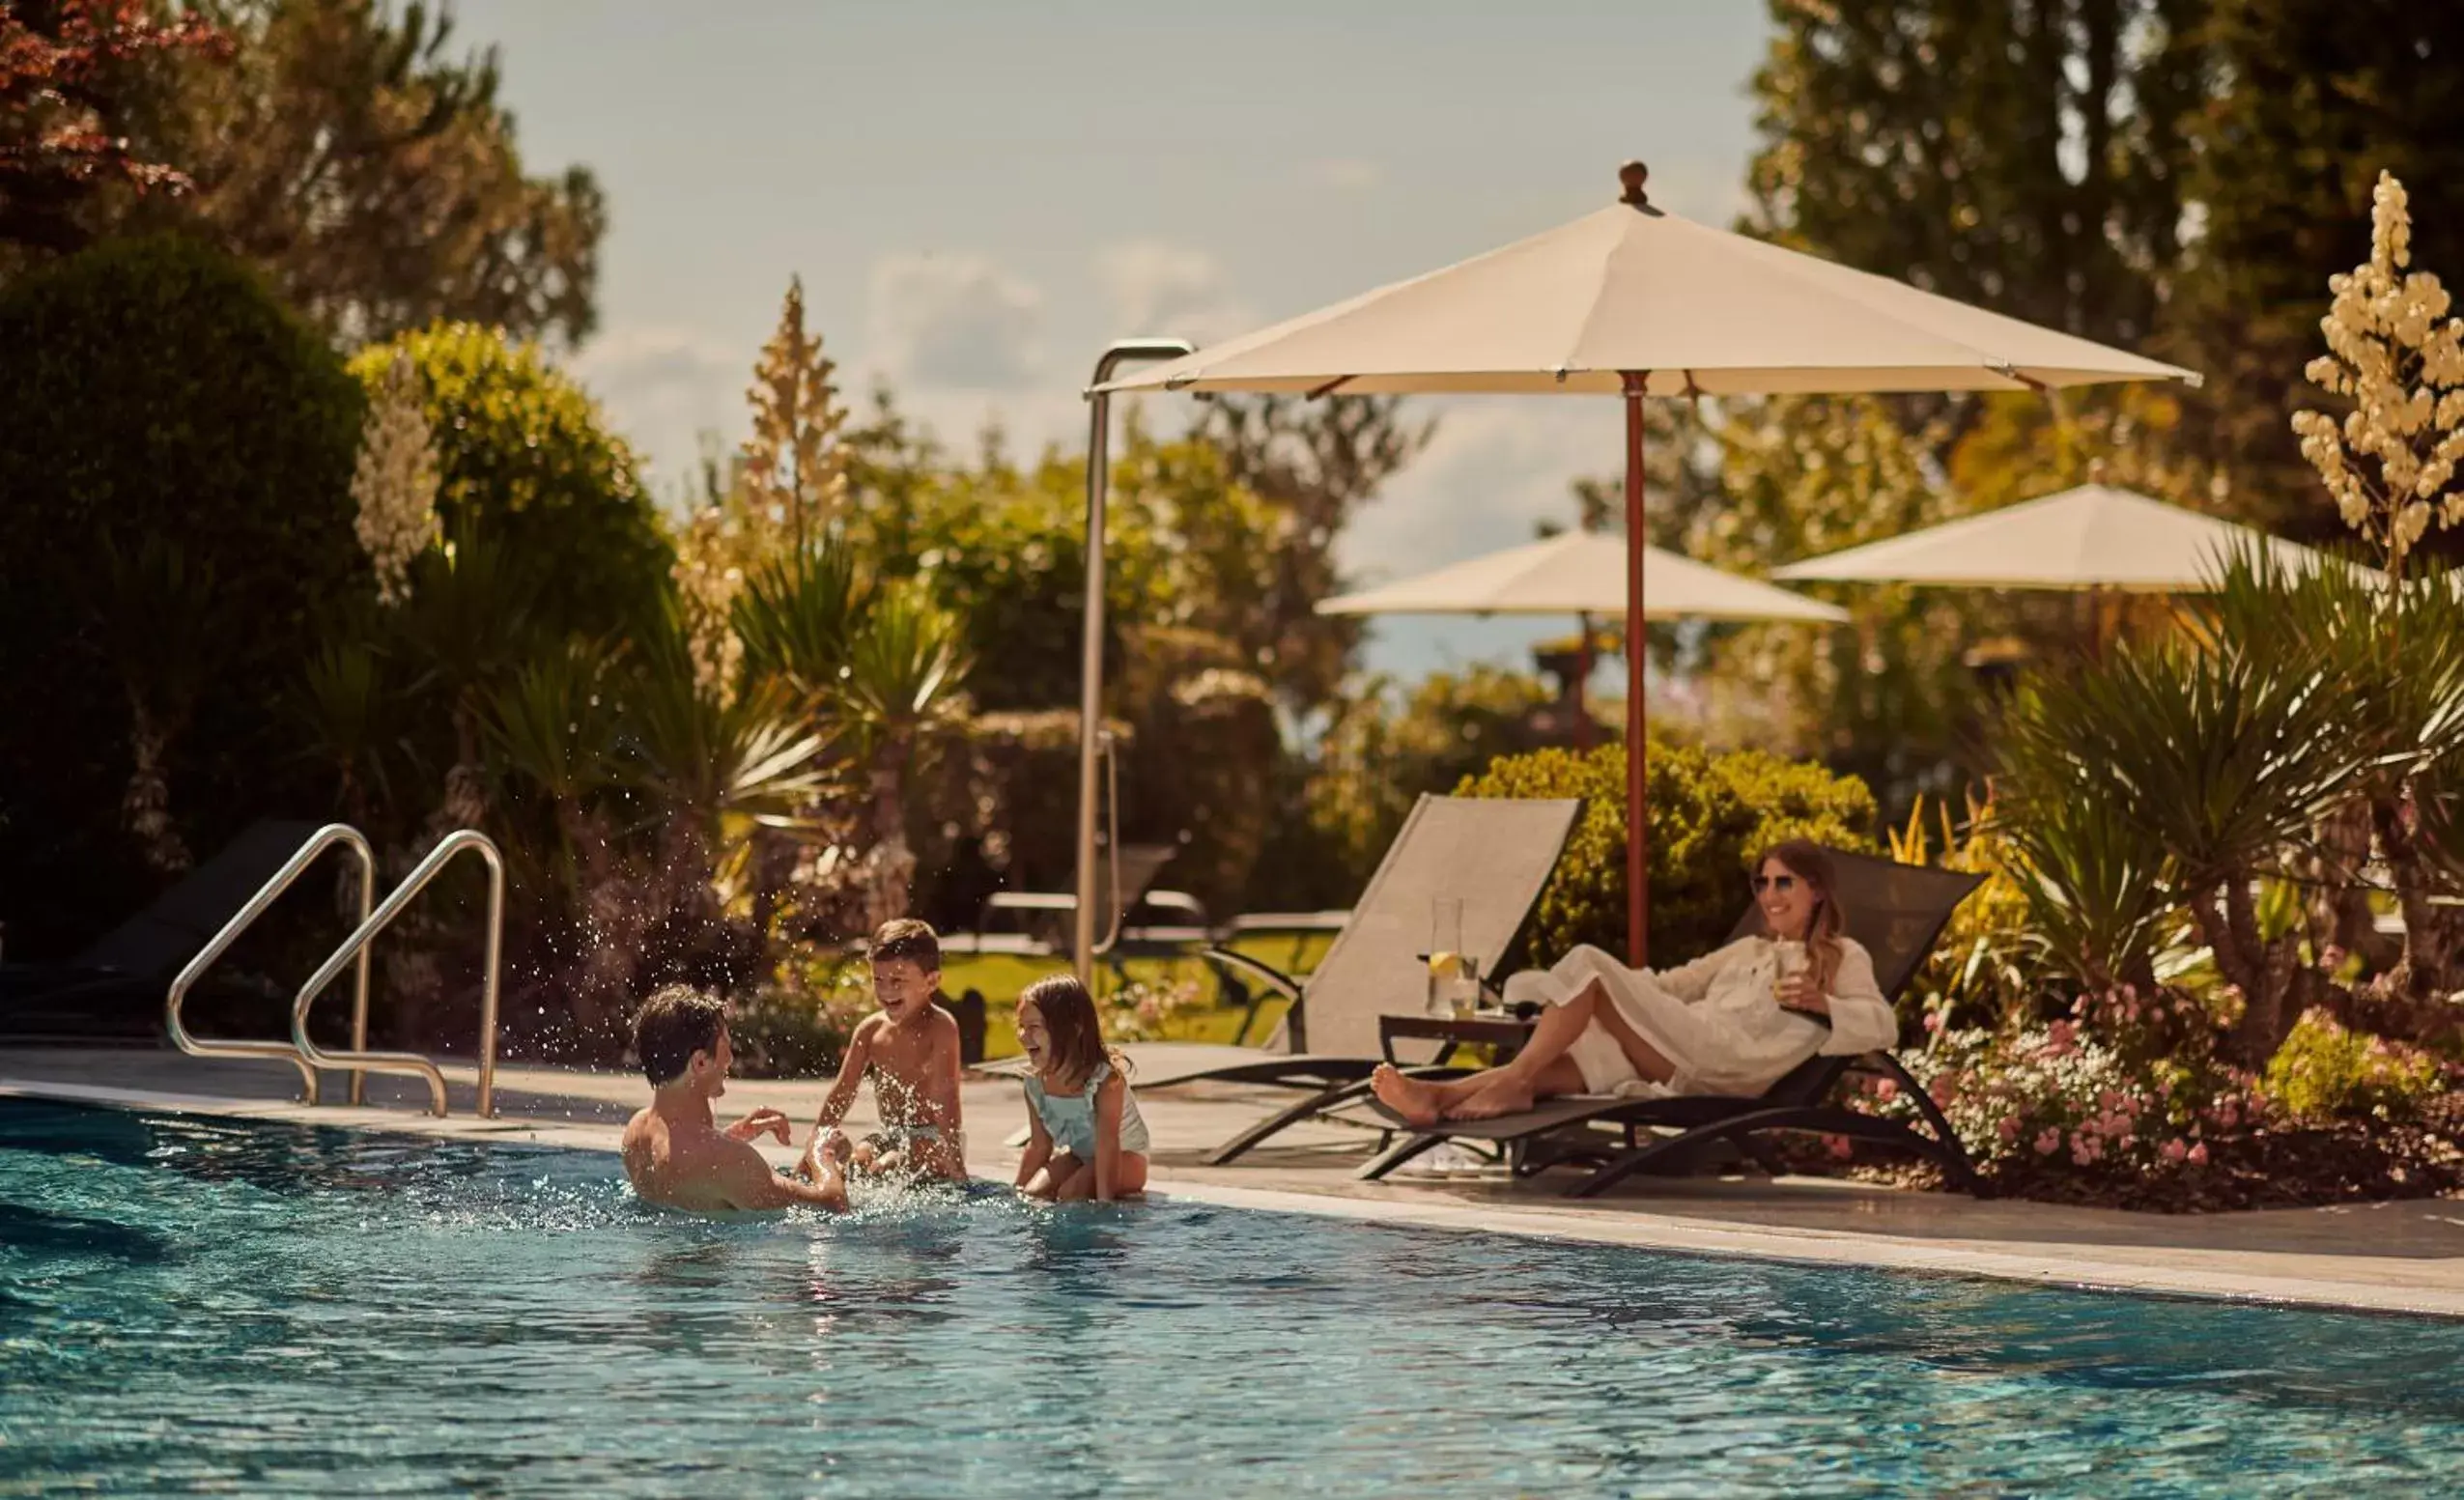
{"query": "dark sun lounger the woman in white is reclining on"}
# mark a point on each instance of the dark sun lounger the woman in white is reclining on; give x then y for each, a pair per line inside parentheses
(1899, 913)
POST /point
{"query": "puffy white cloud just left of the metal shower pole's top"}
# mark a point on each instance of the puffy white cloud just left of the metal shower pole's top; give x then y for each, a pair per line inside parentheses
(955, 321)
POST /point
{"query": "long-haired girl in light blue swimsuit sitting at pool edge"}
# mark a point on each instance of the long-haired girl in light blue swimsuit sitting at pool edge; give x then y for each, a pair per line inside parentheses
(1085, 1129)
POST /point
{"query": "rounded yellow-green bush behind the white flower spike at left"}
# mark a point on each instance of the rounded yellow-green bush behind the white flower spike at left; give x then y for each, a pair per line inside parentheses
(526, 459)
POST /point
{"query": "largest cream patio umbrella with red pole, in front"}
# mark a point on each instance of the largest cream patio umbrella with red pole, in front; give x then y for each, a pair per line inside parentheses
(1632, 302)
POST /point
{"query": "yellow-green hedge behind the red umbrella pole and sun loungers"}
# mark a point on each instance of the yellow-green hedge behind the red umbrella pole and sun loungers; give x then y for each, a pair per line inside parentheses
(1711, 814)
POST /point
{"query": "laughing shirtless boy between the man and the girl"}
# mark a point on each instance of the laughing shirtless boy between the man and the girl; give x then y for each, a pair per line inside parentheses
(910, 1048)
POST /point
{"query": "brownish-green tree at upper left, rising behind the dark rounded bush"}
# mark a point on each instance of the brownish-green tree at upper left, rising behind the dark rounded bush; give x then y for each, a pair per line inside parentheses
(366, 164)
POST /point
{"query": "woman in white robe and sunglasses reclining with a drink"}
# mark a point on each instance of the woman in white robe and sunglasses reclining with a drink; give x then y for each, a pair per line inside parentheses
(1728, 1023)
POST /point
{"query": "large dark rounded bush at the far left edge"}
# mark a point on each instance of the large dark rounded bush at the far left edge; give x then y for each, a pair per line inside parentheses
(156, 390)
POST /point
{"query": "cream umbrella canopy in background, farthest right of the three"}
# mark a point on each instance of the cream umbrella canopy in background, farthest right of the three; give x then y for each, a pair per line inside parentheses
(2088, 538)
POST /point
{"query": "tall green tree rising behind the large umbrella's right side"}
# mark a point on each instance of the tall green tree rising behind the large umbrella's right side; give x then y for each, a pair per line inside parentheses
(2012, 154)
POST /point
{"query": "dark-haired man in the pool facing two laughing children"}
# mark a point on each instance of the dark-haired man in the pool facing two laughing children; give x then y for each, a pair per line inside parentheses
(676, 1151)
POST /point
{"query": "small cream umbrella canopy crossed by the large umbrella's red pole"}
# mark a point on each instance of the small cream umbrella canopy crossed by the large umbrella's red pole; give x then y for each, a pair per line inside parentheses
(1581, 573)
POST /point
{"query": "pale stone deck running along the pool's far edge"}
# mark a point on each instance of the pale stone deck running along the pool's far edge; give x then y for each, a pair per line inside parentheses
(2401, 1257)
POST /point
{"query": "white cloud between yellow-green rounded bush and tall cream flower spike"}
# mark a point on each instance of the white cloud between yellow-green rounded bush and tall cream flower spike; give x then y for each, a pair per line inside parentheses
(664, 388)
